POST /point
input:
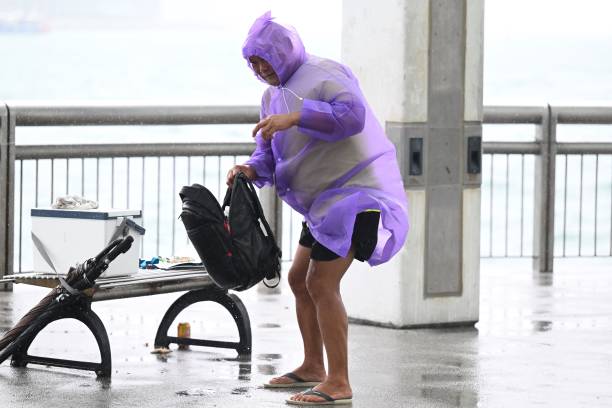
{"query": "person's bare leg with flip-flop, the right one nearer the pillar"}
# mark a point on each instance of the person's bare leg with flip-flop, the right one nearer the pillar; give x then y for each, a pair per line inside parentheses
(323, 283)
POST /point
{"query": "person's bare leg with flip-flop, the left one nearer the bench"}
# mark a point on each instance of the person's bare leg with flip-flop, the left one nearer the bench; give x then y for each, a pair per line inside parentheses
(313, 368)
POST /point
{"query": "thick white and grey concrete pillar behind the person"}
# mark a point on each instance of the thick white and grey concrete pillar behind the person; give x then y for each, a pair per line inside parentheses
(419, 63)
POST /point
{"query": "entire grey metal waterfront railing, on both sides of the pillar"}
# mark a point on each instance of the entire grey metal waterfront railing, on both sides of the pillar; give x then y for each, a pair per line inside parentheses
(130, 170)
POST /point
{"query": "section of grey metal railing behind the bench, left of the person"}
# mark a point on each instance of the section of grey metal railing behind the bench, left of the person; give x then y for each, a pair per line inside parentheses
(115, 164)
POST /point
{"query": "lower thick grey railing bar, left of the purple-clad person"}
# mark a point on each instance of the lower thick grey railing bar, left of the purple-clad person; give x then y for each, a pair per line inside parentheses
(33, 152)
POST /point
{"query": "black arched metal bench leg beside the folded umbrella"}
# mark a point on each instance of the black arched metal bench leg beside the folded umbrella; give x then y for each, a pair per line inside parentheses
(82, 312)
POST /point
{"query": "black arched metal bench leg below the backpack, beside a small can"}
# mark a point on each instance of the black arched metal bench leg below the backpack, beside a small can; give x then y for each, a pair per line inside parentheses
(230, 301)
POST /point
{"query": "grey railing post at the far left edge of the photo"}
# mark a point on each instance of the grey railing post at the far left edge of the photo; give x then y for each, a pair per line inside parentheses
(7, 182)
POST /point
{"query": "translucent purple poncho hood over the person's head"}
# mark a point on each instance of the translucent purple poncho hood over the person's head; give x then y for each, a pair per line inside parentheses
(279, 45)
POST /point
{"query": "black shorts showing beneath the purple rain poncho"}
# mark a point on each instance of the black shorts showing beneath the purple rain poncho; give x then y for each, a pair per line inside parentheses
(365, 237)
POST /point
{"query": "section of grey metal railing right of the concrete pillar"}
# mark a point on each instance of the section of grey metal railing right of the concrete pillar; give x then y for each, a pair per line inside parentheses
(555, 197)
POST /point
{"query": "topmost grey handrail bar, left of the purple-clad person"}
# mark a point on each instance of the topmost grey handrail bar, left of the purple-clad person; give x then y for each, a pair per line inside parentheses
(94, 115)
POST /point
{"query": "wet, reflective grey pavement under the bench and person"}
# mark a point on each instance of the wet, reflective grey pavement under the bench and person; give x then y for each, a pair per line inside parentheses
(542, 341)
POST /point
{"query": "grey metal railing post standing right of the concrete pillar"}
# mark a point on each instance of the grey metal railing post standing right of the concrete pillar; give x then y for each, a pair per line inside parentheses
(544, 193)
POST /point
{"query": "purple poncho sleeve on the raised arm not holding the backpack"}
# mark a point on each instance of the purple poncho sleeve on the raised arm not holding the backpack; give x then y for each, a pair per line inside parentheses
(338, 113)
